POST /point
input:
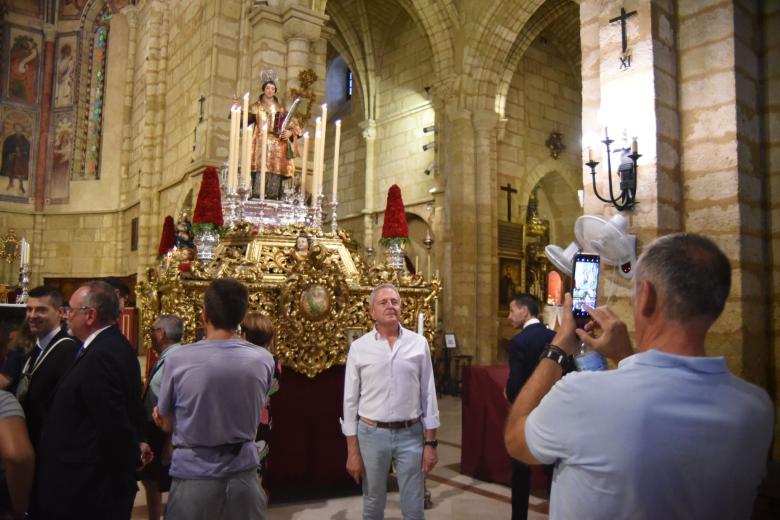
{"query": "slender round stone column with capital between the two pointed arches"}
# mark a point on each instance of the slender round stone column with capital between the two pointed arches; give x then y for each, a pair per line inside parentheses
(485, 187)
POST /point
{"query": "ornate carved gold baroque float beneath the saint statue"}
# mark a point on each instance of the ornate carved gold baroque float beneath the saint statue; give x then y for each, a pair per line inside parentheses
(317, 300)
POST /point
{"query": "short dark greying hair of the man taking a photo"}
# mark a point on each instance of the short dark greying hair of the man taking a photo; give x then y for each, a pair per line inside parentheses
(691, 274)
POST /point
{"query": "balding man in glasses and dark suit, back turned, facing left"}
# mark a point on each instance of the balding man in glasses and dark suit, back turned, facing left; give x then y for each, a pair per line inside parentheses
(89, 447)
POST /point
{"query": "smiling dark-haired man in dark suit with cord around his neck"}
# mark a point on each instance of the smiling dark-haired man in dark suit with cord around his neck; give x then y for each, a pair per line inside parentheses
(48, 361)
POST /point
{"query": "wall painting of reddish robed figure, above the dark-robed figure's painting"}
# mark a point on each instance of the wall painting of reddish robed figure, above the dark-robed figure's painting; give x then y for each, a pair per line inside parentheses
(24, 60)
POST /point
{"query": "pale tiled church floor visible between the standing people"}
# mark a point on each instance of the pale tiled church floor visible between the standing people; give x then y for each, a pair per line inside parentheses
(454, 496)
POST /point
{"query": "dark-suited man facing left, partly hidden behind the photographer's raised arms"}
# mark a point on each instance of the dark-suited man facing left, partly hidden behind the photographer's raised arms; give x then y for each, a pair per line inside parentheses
(524, 351)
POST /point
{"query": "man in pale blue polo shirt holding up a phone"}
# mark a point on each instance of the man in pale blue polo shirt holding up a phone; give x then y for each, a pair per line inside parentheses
(671, 433)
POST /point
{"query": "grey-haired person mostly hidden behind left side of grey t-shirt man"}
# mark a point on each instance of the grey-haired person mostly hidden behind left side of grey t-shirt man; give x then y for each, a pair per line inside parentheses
(166, 333)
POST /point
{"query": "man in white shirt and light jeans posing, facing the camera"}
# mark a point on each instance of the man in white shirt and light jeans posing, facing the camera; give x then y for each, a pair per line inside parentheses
(389, 407)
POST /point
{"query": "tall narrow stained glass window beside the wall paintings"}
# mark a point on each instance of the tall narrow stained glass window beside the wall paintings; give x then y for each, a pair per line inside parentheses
(96, 89)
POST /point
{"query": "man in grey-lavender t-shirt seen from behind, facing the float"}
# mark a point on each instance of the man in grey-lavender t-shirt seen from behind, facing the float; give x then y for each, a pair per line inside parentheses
(211, 397)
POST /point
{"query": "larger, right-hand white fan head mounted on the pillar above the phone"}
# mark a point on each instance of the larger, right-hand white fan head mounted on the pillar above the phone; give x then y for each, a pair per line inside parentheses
(608, 238)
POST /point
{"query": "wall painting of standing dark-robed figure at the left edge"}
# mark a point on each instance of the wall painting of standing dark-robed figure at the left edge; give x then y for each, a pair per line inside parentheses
(16, 162)
